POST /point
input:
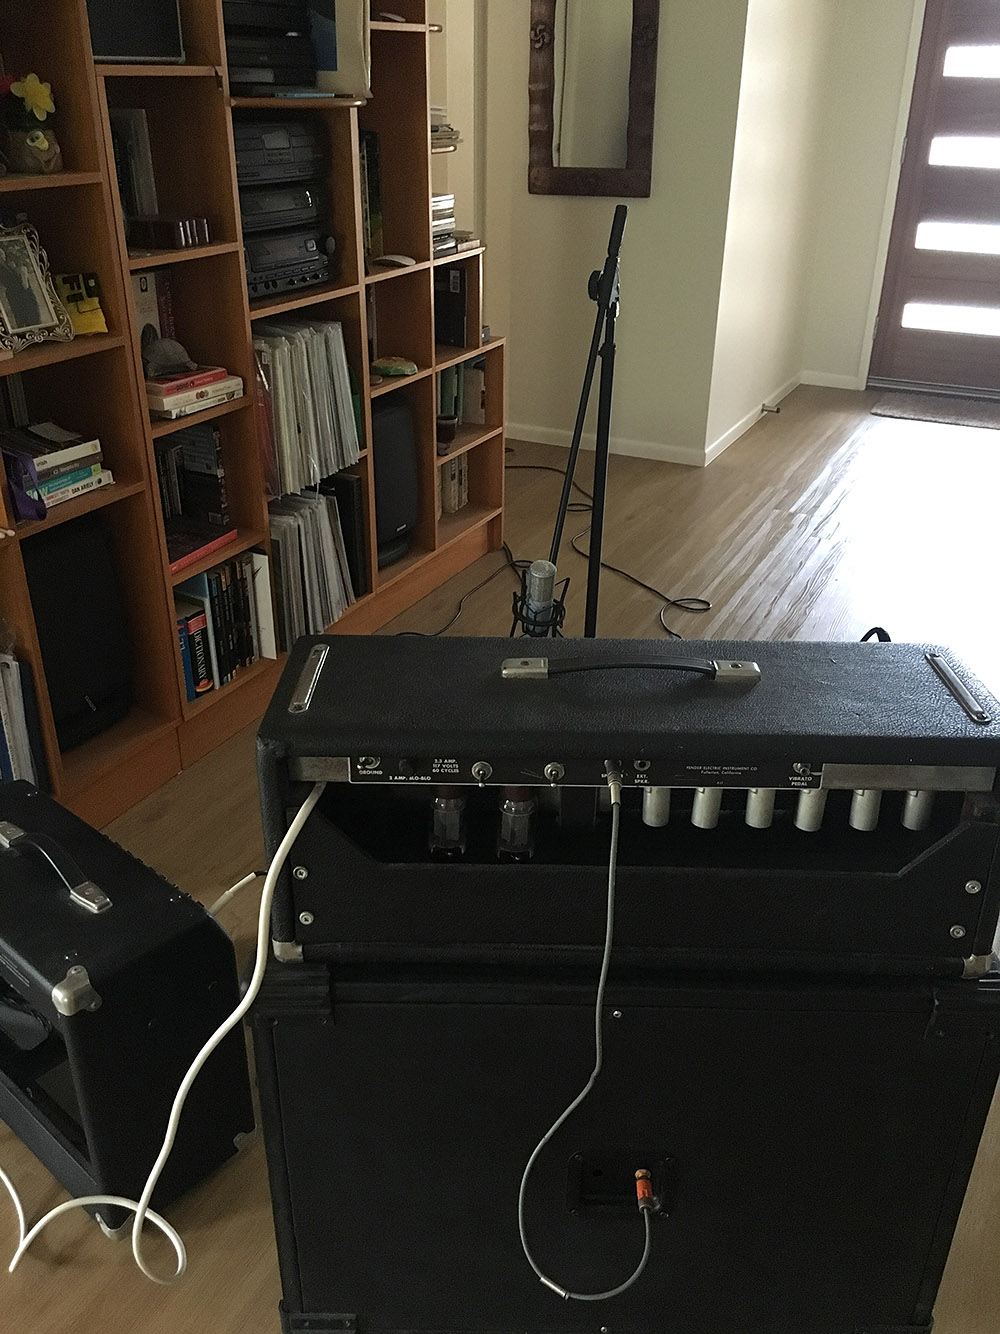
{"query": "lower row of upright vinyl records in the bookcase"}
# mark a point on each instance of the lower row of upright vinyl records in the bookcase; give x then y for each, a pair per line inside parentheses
(313, 574)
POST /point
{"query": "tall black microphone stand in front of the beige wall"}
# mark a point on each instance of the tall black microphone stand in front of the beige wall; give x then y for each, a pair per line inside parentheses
(603, 289)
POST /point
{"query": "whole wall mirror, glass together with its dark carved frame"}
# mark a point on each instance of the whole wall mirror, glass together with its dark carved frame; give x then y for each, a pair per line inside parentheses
(591, 87)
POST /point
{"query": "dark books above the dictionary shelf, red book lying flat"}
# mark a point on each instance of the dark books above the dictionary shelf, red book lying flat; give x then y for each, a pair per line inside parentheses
(194, 501)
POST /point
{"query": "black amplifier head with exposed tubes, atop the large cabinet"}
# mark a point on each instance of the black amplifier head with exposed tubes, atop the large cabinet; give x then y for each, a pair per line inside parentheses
(839, 813)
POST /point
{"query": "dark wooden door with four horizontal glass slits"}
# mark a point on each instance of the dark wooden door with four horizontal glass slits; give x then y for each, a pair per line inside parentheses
(939, 318)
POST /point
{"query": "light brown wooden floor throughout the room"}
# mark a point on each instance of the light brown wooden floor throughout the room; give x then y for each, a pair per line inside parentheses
(819, 524)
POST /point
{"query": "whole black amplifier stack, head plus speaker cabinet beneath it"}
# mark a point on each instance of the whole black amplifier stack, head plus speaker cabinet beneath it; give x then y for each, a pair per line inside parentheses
(809, 1092)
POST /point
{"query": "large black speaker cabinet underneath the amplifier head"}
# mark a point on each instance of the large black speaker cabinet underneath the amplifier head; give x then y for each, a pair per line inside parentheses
(811, 1147)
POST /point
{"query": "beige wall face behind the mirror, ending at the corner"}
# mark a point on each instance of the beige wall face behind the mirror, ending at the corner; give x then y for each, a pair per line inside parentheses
(543, 249)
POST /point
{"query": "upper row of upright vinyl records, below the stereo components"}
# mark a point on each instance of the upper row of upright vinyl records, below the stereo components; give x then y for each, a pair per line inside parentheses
(309, 401)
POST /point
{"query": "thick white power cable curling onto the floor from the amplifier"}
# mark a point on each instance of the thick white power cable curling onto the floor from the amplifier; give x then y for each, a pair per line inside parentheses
(142, 1207)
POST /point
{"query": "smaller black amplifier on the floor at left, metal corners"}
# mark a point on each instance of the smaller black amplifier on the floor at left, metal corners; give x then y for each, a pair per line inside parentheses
(102, 1015)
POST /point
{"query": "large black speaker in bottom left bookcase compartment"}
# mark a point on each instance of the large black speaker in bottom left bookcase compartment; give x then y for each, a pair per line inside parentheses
(82, 628)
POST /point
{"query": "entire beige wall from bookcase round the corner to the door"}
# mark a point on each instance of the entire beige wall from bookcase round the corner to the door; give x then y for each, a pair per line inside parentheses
(754, 262)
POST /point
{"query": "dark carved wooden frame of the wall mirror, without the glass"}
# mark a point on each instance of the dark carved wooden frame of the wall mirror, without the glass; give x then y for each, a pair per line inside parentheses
(629, 182)
